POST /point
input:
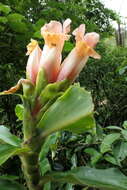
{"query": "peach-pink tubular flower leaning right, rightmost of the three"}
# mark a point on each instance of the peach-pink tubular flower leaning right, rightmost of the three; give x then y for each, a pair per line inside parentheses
(76, 60)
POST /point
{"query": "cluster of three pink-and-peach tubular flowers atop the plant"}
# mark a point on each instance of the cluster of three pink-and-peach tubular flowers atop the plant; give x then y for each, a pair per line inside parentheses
(50, 58)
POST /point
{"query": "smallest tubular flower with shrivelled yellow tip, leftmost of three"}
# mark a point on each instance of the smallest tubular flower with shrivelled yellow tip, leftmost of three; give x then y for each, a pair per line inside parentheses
(34, 52)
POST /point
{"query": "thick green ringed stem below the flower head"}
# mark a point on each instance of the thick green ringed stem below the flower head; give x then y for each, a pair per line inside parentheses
(29, 160)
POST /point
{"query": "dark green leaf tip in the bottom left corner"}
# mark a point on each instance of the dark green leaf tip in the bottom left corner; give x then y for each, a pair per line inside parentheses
(10, 185)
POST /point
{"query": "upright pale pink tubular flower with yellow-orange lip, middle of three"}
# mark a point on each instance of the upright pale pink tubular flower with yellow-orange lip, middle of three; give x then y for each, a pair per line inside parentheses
(54, 34)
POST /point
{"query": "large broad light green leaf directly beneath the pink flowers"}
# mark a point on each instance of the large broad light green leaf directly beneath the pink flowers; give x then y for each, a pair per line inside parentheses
(73, 111)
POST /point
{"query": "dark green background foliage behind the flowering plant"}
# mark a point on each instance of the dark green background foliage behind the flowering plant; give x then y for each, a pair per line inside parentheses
(21, 20)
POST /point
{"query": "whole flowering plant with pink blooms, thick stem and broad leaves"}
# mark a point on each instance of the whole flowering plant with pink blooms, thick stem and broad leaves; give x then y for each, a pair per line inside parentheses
(52, 102)
